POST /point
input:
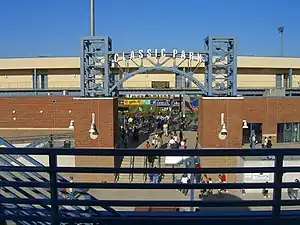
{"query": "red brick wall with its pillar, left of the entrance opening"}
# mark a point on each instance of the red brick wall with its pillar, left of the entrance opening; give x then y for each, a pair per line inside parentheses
(57, 112)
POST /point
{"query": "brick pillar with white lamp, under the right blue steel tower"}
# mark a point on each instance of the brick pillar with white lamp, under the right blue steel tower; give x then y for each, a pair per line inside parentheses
(210, 126)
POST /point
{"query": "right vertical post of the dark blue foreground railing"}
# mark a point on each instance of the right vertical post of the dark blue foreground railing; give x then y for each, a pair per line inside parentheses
(277, 192)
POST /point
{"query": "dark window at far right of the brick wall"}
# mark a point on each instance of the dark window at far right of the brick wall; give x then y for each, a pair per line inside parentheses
(288, 132)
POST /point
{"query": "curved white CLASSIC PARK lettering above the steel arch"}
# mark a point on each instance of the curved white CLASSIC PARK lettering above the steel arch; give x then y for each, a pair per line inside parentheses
(156, 53)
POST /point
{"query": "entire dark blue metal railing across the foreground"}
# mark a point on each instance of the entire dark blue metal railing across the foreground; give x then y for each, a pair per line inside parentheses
(55, 215)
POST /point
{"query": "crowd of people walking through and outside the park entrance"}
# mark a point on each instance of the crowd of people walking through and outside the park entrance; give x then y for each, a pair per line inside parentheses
(164, 128)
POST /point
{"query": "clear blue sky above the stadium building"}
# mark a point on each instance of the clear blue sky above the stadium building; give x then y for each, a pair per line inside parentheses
(55, 27)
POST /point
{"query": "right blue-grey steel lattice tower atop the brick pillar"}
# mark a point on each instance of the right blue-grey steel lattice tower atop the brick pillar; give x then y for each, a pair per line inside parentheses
(221, 66)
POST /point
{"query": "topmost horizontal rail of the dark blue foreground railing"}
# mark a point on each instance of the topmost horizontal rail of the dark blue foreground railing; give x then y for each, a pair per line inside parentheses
(154, 152)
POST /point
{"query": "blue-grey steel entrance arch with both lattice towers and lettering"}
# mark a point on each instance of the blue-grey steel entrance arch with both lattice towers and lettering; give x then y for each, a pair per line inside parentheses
(103, 71)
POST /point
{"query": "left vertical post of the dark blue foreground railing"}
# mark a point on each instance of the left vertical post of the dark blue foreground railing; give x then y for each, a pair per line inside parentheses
(53, 188)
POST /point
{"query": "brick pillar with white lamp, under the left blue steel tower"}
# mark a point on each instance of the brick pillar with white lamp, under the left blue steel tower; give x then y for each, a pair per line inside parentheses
(106, 115)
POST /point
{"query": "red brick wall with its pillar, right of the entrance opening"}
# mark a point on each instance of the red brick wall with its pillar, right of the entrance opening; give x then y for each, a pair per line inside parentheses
(268, 111)
